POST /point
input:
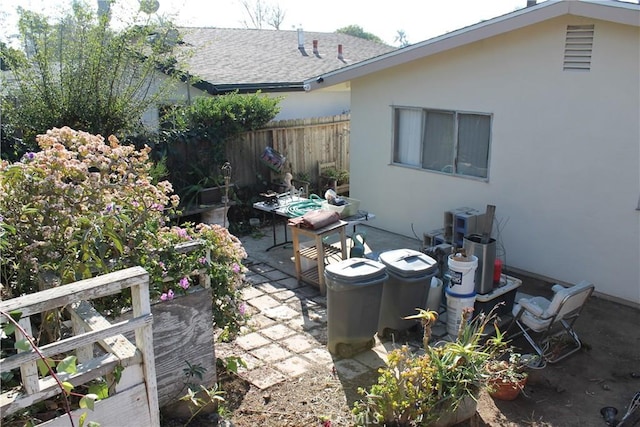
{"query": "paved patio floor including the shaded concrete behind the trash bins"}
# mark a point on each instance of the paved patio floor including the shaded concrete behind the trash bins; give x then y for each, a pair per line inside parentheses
(287, 333)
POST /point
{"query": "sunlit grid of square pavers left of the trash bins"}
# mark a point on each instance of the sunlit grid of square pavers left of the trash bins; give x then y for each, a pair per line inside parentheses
(287, 333)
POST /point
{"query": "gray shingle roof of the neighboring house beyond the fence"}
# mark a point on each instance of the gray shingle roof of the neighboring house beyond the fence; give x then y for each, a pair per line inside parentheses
(227, 59)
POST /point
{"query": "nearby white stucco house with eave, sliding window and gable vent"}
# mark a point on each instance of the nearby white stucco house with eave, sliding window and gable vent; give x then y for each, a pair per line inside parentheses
(536, 112)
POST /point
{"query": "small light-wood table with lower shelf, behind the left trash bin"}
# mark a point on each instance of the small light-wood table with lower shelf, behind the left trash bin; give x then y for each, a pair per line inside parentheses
(318, 251)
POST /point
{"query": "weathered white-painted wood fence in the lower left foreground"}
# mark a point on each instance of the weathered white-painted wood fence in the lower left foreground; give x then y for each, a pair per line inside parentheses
(133, 400)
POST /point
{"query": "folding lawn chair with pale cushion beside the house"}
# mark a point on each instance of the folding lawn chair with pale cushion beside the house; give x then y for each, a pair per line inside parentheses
(548, 325)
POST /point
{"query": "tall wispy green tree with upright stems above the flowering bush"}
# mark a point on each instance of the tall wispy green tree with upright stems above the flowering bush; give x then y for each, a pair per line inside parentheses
(79, 72)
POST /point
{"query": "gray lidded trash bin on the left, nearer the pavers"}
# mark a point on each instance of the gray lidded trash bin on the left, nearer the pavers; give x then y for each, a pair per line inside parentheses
(354, 290)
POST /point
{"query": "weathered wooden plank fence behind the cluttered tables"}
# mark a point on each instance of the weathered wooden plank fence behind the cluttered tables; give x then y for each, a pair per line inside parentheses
(305, 143)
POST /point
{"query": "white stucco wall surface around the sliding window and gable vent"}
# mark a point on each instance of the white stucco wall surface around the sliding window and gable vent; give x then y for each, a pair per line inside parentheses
(565, 150)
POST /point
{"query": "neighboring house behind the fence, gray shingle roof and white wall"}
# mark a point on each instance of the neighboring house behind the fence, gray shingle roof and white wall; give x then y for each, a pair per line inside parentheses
(275, 62)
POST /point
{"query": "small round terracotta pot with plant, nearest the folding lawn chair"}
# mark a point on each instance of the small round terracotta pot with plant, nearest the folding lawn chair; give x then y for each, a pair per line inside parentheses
(506, 376)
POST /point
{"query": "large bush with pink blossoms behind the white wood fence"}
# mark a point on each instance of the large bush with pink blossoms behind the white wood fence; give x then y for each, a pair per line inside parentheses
(81, 207)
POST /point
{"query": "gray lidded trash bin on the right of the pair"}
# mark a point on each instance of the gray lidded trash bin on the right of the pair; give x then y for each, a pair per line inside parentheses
(410, 274)
